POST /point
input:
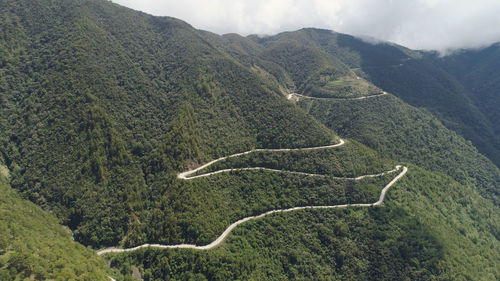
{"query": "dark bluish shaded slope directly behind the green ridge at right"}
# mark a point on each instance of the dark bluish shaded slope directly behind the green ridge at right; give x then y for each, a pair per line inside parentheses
(422, 84)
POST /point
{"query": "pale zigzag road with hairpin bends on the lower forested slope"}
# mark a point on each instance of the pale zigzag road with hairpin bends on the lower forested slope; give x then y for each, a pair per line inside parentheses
(188, 176)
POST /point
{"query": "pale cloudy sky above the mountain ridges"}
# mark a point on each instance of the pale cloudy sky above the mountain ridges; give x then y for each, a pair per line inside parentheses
(441, 25)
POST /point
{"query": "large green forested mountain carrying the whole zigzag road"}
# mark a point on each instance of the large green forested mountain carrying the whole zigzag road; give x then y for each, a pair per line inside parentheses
(103, 107)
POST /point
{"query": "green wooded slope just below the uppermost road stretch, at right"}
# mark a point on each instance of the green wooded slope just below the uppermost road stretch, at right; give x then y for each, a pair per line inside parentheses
(394, 128)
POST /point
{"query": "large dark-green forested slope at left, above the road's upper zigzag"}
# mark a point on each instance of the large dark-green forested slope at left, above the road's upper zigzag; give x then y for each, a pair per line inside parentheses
(98, 97)
